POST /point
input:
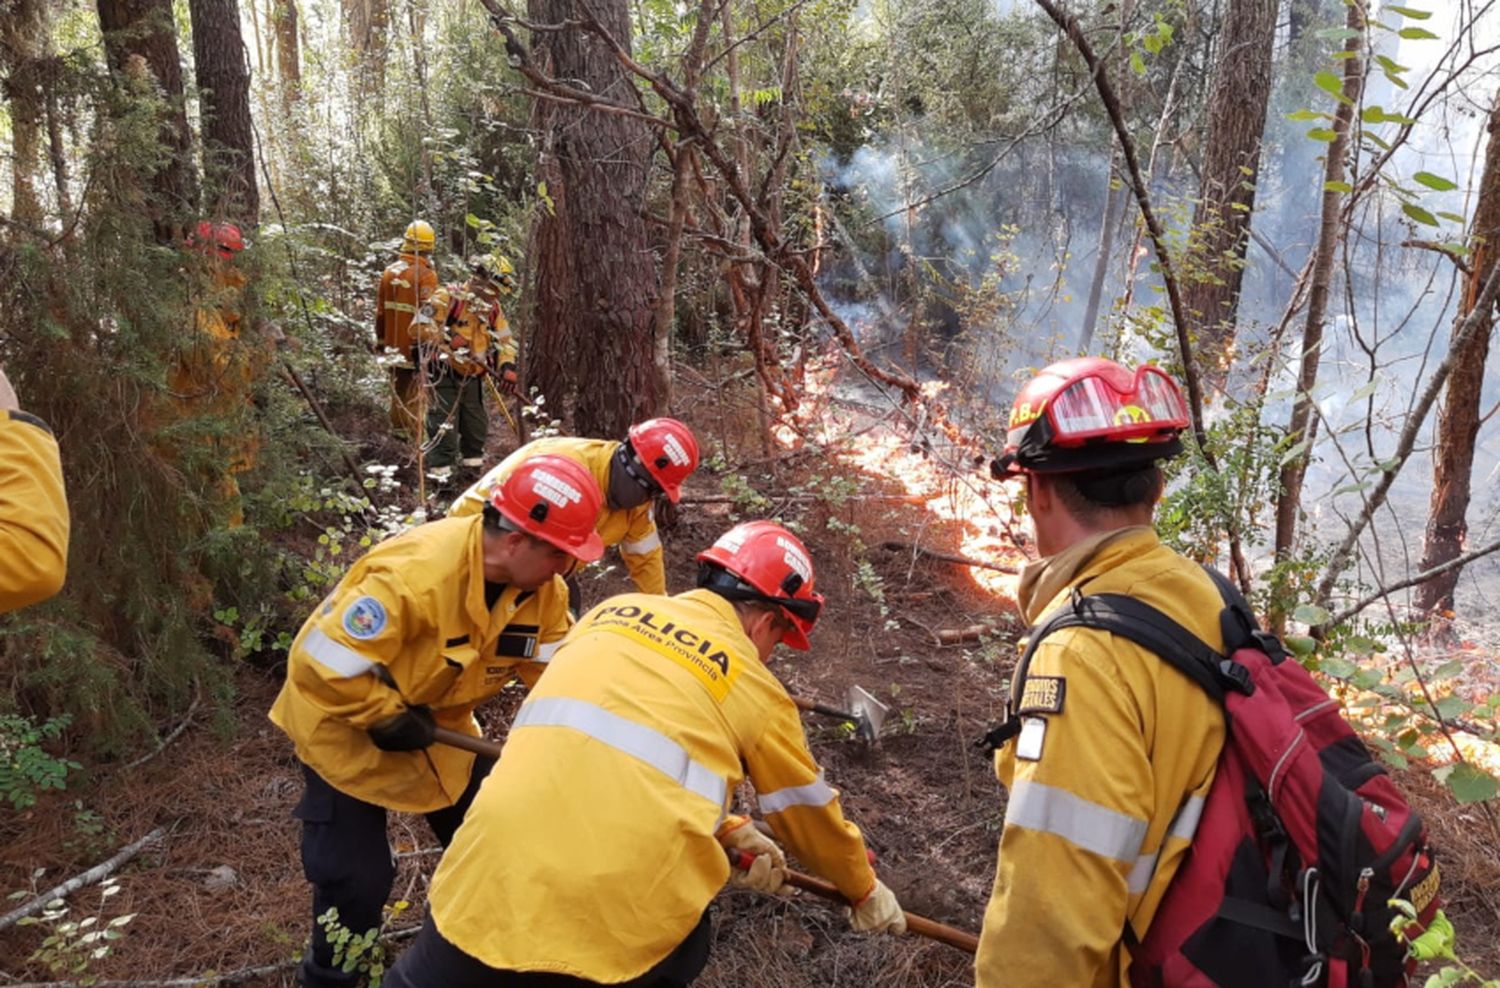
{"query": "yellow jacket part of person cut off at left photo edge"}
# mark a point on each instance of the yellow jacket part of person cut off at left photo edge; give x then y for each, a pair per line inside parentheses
(34, 513)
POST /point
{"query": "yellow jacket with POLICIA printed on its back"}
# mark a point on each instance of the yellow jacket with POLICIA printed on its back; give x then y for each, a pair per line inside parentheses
(592, 848)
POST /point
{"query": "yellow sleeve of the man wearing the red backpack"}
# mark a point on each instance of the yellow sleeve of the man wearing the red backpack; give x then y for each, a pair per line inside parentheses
(1079, 806)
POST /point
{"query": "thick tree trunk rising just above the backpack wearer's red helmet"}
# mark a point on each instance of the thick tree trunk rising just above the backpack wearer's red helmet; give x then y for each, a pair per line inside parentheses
(1231, 169)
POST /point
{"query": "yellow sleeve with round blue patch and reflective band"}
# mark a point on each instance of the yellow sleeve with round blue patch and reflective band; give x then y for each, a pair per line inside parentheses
(361, 629)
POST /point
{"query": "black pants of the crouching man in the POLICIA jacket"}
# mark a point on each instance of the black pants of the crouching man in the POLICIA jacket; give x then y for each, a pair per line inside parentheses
(436, 963)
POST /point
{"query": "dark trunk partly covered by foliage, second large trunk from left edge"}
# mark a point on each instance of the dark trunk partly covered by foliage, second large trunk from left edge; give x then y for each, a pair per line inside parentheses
(140, 43)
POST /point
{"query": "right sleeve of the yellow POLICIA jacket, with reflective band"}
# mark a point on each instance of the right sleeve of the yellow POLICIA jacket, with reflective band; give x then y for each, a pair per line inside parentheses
(803, 809)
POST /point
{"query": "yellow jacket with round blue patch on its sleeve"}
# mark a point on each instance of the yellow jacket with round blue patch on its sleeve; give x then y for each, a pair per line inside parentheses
(409, 626)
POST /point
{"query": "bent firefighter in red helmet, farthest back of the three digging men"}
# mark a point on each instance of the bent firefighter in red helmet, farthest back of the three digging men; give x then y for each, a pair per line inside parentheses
(653, 461)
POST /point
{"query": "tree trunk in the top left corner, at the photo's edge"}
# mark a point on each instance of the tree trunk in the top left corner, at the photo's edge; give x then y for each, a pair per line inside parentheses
(23, 50)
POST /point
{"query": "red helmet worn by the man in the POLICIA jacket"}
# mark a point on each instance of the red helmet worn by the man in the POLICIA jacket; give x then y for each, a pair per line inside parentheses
(766, 563)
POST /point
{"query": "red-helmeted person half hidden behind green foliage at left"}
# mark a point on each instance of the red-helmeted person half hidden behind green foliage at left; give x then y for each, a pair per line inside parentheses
(215, 373)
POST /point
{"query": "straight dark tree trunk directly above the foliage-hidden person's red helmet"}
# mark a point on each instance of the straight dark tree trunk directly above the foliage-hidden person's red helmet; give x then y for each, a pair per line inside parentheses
(224, 94)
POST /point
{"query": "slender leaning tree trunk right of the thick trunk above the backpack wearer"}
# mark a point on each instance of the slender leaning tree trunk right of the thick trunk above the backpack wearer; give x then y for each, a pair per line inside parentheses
(1304, 428)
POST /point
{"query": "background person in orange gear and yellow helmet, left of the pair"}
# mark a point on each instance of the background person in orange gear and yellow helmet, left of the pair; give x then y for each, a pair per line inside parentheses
(403, 290)
